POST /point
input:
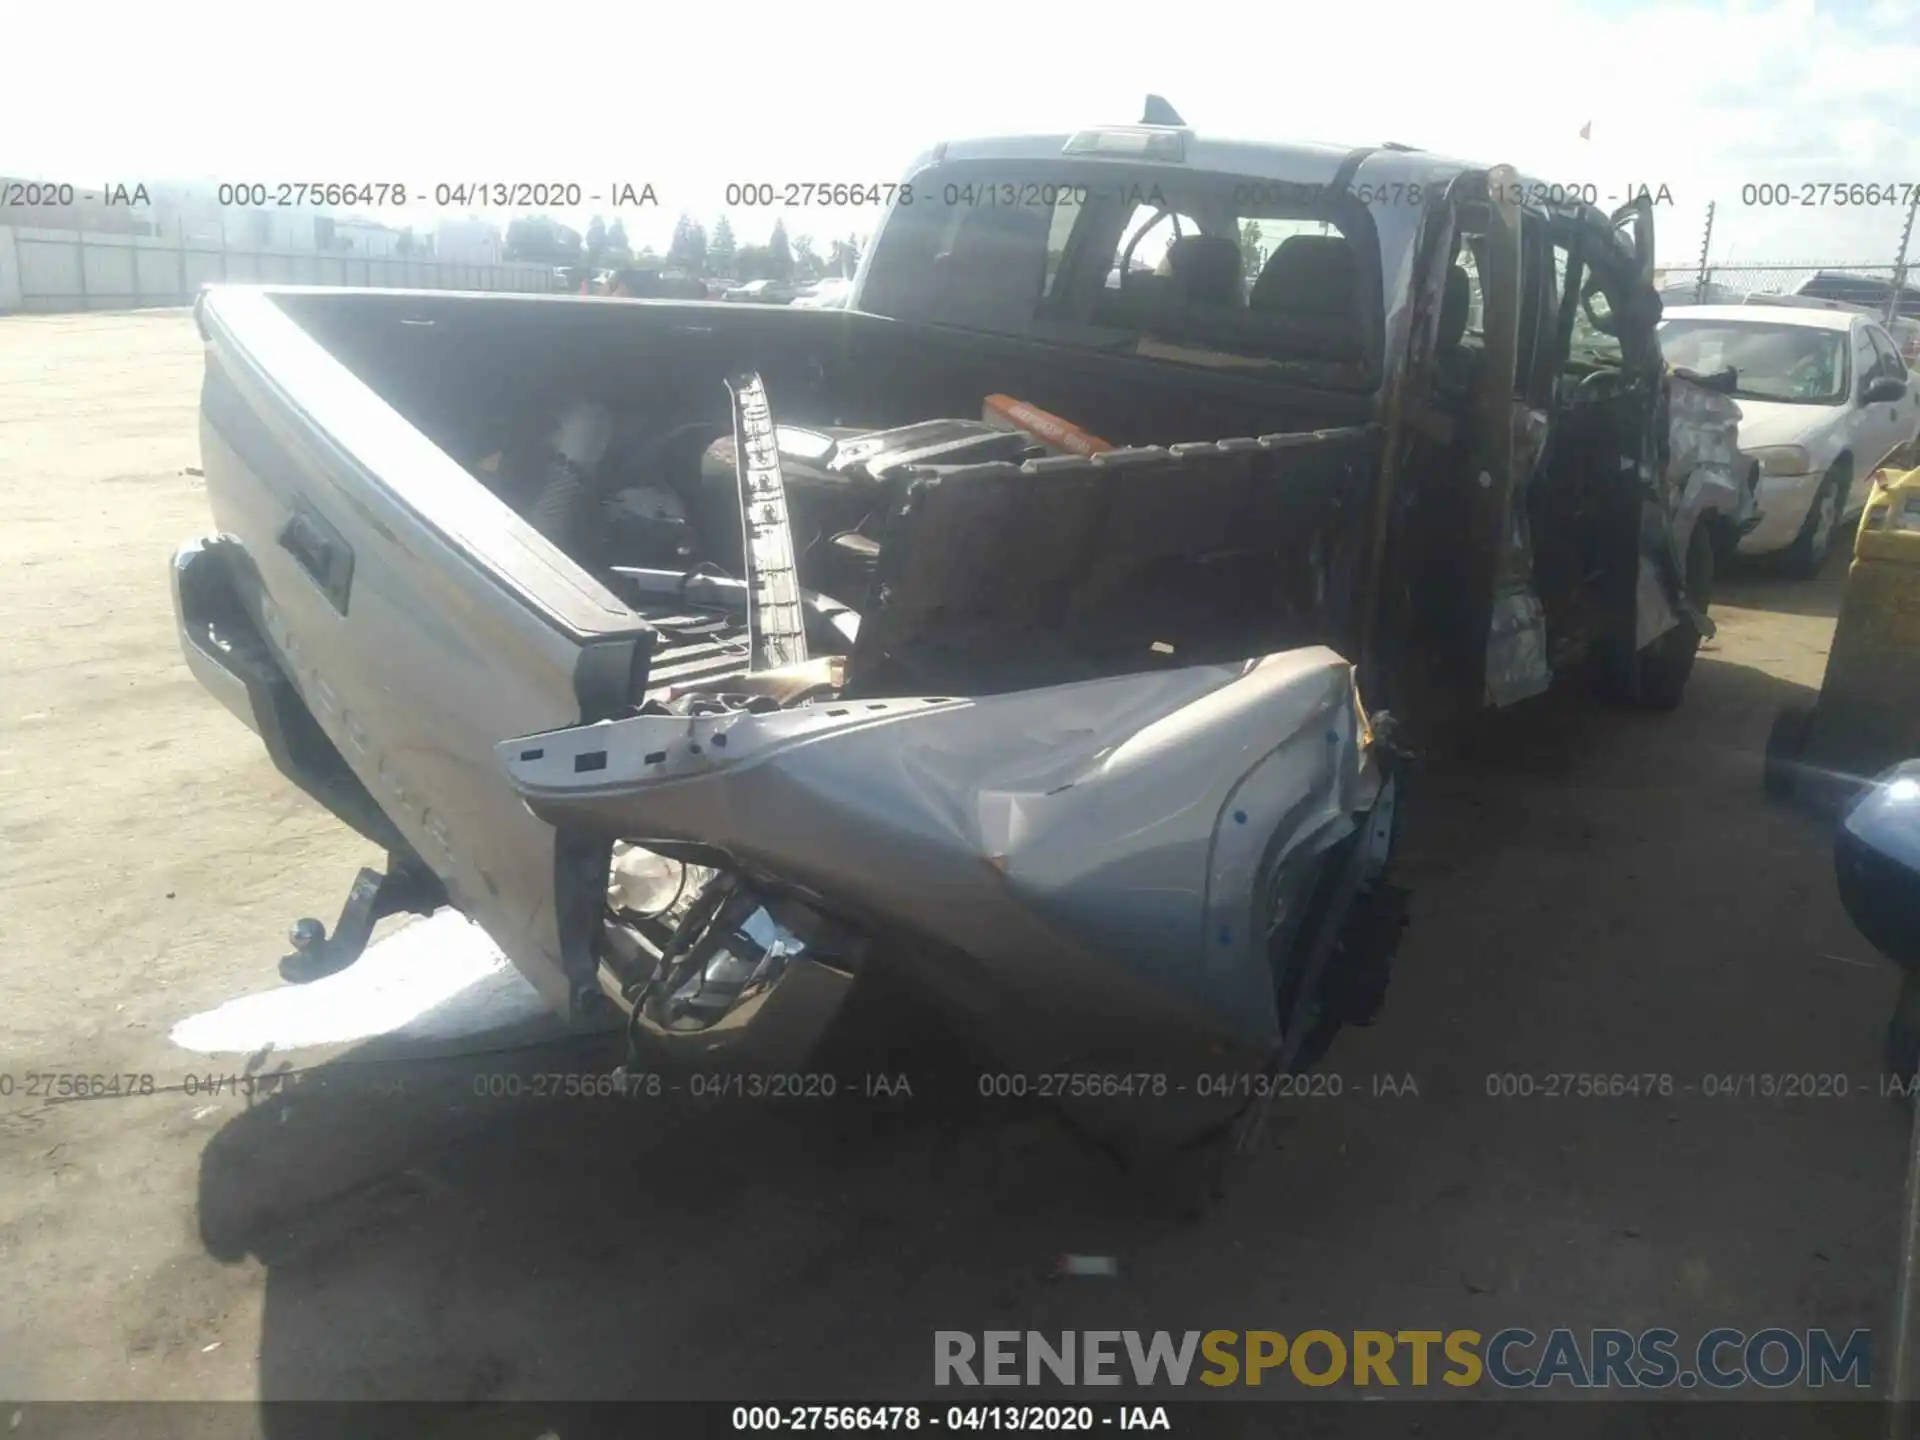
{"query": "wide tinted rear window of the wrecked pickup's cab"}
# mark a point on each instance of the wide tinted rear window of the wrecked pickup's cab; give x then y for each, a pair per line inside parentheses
(1161, 262)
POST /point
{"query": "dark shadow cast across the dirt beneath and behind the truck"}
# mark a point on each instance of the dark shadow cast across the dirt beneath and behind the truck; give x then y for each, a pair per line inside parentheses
(1596, 892)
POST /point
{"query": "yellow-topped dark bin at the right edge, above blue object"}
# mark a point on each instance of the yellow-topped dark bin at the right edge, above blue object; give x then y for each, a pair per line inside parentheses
(1867, 715)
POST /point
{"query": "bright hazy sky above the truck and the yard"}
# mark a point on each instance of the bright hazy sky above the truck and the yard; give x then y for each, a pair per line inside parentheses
(1702, 99)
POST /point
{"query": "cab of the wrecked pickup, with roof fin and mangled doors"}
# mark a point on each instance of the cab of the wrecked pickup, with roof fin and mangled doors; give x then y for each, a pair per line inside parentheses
(1541, 466)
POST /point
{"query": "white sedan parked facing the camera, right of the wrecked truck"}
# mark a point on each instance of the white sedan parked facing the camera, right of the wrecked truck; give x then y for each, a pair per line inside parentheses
(1825, 400)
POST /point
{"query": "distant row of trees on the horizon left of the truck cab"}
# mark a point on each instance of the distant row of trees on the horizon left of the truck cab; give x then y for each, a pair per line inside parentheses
(544, 241)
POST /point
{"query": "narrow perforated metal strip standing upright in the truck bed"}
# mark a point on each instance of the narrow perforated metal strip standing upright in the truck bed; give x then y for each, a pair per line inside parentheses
(777, 625)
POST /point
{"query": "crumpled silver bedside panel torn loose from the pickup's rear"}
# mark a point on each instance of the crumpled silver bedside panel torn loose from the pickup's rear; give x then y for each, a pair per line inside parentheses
(1113, 844)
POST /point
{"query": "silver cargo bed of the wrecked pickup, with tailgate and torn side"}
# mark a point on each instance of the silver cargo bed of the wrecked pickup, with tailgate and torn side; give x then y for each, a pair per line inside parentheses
(400, 583)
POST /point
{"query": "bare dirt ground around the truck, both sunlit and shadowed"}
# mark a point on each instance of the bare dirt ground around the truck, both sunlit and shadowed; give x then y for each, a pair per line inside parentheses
(1595, 892)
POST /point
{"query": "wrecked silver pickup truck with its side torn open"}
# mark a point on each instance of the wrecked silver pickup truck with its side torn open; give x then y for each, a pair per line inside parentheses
(1034, 633)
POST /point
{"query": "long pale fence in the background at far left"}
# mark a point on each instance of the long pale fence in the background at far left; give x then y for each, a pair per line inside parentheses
(84, 270)
